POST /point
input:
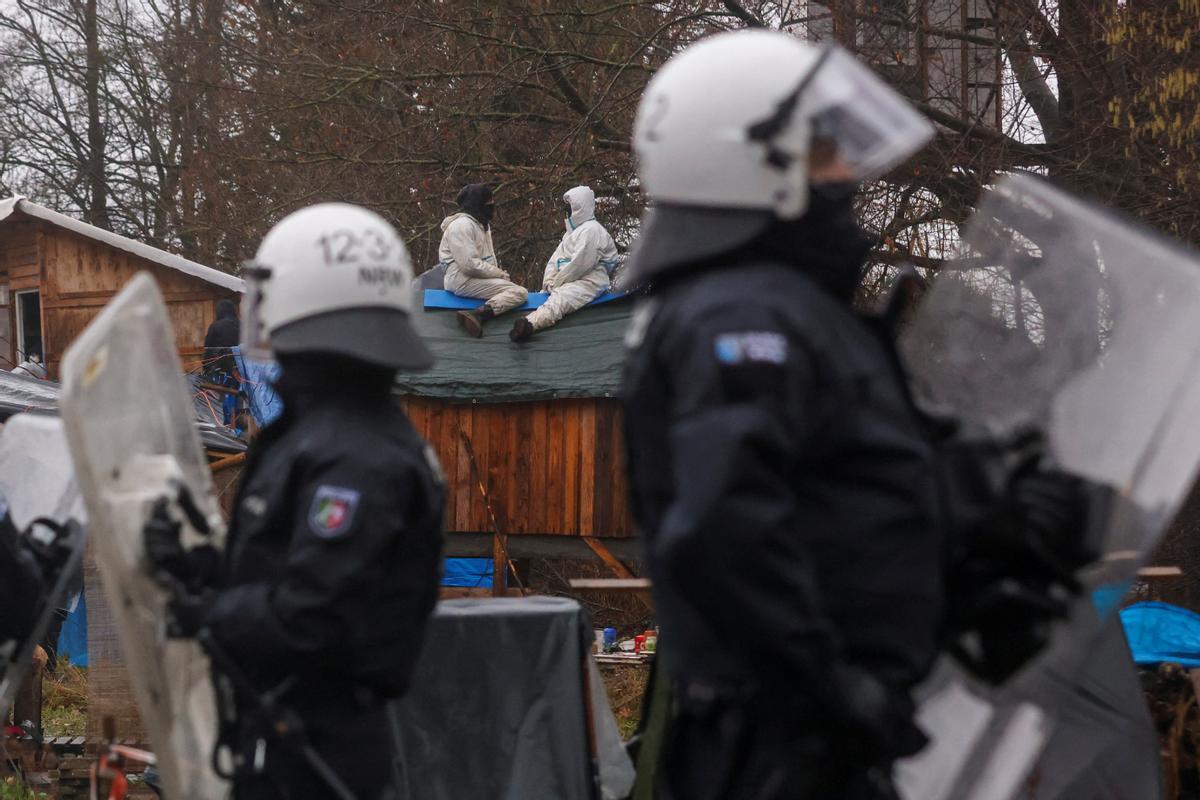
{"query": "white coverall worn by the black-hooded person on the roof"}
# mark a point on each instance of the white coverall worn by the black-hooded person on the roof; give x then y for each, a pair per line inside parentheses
(472, 272)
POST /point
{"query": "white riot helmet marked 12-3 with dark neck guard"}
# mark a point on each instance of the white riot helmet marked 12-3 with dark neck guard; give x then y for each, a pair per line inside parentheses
(334, 279)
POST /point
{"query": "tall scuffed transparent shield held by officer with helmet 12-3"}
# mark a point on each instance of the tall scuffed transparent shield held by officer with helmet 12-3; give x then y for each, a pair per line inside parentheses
(130, 428)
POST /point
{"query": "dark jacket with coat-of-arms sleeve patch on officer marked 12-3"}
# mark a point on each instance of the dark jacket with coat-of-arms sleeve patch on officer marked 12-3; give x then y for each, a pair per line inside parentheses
(334, 552)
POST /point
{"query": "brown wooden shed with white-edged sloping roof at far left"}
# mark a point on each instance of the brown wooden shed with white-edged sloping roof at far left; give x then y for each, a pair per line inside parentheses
(58, 273)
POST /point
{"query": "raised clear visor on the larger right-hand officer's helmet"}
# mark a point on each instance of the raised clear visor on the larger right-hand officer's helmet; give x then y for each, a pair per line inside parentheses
(874, 128)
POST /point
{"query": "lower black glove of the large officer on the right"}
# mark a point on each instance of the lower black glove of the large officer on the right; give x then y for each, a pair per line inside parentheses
(877, 721)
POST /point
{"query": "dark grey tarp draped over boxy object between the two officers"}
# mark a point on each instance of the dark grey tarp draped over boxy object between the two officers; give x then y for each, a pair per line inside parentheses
(497, 706)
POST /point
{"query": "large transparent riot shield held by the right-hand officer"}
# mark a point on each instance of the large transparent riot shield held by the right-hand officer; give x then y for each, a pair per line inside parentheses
(1060, 320)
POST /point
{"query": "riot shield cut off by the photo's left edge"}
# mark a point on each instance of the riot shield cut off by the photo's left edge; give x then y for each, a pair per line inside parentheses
(38, 480)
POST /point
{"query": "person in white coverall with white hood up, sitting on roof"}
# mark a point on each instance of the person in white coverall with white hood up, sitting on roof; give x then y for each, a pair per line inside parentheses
(579, 270)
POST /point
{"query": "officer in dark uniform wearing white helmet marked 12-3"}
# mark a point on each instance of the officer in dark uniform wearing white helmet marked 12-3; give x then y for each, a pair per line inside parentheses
(333, 557)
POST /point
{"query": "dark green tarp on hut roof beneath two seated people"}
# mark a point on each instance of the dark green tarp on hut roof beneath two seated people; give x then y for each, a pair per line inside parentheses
(581, 357)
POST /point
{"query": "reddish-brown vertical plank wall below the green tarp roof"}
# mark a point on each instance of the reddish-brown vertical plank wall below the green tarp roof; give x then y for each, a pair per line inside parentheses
(550, 467)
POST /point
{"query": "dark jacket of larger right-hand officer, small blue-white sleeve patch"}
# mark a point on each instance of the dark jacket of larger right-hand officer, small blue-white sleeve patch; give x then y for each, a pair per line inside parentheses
(784, 484)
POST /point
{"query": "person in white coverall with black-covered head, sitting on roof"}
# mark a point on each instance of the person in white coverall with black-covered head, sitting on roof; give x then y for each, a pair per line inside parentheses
(470, 260)
